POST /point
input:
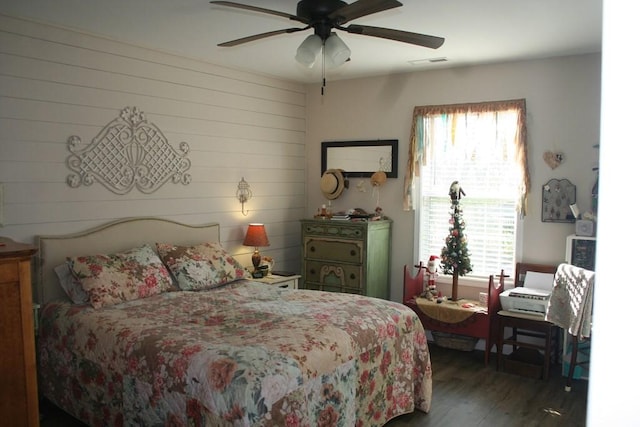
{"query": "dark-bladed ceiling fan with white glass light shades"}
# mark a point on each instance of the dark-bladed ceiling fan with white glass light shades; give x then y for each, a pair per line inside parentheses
(326, 15)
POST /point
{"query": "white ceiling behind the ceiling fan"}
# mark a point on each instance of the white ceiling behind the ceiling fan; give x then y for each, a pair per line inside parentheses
(475, 32)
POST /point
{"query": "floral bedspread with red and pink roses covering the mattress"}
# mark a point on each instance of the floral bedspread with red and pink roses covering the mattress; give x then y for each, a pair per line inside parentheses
(243, 354)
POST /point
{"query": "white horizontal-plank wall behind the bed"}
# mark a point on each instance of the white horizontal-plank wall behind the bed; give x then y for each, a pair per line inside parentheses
(55, 83)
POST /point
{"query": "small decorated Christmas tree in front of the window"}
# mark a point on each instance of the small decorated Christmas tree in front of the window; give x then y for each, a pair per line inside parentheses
(455, 255)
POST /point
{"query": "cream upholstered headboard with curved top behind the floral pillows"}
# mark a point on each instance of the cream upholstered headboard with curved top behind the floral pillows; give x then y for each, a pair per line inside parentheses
(112, 237)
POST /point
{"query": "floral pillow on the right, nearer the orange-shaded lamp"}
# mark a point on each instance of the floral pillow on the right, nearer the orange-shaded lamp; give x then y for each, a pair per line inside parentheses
(202, 266)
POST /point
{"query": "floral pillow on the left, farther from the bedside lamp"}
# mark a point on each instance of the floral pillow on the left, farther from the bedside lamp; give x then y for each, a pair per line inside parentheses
(112, 279)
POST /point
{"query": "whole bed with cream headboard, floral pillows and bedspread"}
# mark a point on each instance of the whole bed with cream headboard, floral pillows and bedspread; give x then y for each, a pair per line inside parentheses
(231, 352)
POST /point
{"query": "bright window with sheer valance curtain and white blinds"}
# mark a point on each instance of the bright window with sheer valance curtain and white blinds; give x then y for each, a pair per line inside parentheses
(483, 147)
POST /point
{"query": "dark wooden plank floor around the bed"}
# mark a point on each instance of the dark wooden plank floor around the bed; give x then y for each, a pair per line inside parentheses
(466, 393)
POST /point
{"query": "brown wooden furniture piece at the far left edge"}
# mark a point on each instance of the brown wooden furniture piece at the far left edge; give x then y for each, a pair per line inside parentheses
(18, 375)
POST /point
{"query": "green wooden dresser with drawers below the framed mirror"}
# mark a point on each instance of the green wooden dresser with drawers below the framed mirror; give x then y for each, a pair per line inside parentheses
(346, 256)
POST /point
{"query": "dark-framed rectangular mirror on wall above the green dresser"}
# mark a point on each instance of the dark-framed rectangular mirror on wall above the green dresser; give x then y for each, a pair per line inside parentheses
(361, 158)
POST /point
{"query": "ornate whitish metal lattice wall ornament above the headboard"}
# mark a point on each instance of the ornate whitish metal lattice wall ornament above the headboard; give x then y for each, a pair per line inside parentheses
(129, 152)
